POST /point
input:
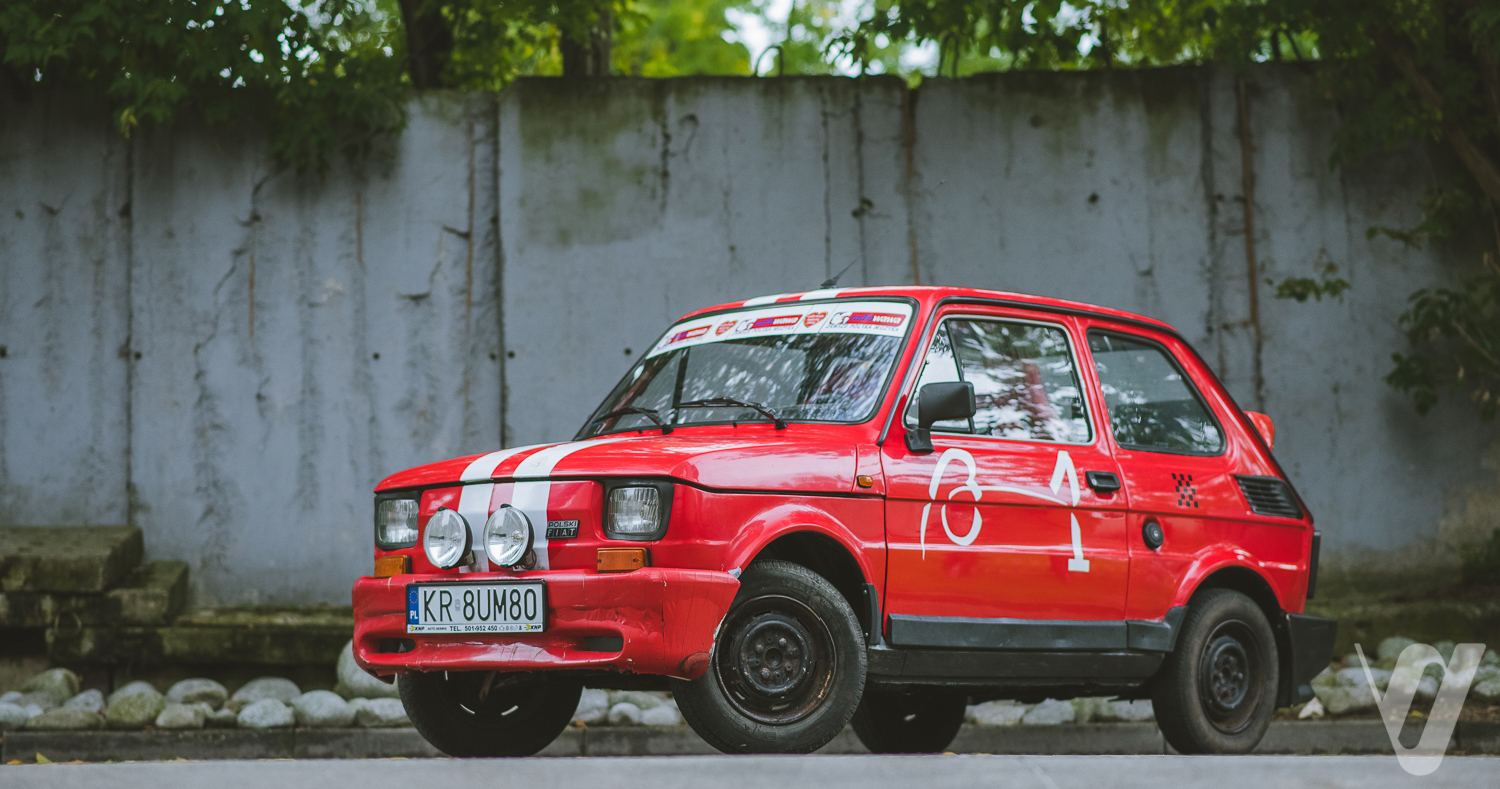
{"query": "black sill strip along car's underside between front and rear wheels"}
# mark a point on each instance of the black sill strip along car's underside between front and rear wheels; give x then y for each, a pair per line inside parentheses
(1012, 665)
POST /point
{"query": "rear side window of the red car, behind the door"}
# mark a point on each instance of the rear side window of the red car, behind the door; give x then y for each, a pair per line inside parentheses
(1153, 406)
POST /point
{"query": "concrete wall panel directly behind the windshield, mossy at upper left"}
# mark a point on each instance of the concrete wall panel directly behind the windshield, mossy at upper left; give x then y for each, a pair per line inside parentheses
(628, 203)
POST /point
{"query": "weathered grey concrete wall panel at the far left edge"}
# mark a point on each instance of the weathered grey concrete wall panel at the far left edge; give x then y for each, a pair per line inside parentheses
(65, 212)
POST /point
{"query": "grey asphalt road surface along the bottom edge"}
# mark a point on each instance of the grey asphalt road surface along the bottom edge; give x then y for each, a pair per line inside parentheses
(770, 772)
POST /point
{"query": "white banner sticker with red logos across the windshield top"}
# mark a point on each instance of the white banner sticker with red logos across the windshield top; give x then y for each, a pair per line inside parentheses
(839, 317)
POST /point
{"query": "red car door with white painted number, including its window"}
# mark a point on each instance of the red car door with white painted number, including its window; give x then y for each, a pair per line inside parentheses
(1000, 521)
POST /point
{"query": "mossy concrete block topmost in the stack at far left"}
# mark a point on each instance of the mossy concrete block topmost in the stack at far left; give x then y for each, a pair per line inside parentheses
(67, 559)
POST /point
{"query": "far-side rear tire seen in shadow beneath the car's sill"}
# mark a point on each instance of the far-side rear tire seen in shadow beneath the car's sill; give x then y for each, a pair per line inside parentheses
(908, 722)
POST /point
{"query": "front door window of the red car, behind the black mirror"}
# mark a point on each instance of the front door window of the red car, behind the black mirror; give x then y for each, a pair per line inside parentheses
(1025, 382)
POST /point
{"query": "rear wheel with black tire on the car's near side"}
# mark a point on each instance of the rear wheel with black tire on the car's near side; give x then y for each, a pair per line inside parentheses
(1217, 691)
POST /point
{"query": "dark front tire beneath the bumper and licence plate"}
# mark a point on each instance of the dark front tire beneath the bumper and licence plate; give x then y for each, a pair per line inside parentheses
(518, 715)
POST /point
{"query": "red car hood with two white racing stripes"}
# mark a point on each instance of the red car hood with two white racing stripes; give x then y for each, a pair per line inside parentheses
(754, 460)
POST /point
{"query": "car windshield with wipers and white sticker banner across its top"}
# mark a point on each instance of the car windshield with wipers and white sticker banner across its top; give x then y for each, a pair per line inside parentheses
(823, 362)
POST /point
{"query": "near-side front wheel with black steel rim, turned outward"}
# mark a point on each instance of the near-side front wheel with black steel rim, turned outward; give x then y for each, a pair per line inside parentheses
(787, 671)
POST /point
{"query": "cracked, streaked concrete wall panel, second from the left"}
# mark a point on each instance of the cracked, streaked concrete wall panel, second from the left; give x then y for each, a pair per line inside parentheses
(304, 338)
